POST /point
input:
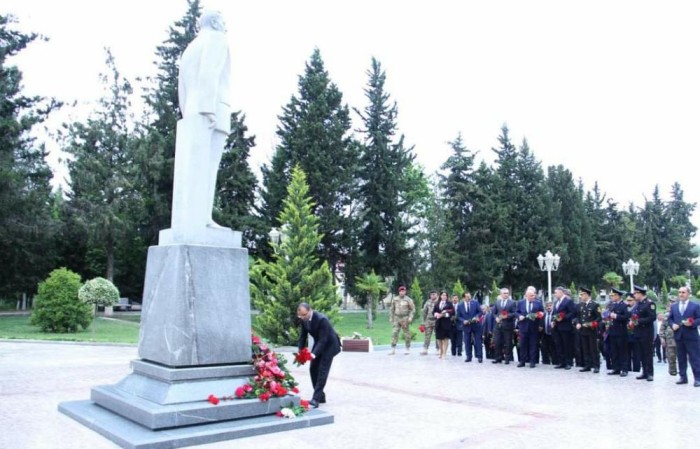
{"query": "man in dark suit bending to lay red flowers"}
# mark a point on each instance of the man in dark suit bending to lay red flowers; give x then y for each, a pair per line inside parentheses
(326, 346)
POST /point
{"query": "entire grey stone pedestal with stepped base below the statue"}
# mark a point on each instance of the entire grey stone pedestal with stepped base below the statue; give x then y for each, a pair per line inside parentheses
(195, 340)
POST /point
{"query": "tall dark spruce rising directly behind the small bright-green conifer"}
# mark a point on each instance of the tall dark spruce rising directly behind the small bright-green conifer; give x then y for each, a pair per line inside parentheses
(314, 133)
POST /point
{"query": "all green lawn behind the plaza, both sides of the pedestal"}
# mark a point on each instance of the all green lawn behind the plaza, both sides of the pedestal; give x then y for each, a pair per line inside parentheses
(125, 329)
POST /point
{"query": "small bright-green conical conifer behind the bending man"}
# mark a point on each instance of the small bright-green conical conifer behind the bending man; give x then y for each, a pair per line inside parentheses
(295, 273)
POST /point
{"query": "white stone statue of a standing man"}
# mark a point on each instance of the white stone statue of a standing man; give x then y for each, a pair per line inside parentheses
(204, 96)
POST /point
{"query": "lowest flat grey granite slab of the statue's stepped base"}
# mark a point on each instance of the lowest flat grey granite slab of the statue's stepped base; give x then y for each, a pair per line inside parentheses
(128, 434)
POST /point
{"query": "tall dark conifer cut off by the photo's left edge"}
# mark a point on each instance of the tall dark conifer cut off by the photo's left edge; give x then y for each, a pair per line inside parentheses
(27, 227)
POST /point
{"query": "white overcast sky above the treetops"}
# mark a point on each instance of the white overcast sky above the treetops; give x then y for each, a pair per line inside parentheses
(610, 89)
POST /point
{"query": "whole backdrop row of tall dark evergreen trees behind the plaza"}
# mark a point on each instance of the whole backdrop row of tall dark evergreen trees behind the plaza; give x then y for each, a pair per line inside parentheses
(377, 210)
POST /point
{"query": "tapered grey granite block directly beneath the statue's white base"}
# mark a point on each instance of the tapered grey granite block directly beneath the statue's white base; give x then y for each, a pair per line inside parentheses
(196, 306)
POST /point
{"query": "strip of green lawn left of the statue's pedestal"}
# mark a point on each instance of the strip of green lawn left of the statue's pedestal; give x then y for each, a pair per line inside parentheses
(112, 331)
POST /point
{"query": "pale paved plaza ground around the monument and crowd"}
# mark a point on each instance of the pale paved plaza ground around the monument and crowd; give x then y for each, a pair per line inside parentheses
(381, 401)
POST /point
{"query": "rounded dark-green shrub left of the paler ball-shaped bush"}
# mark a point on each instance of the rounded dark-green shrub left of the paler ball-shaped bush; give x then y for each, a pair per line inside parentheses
(57, 307)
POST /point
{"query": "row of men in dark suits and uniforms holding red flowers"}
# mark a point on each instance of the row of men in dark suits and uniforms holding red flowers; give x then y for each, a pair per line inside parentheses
(563, 327)
